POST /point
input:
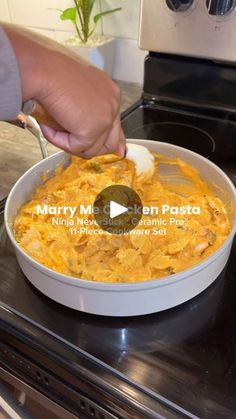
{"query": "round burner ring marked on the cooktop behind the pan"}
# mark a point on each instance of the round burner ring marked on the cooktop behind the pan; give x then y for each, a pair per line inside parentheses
(183, 135)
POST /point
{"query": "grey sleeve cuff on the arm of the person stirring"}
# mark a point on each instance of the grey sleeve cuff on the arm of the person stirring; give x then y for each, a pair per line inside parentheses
(10, 83)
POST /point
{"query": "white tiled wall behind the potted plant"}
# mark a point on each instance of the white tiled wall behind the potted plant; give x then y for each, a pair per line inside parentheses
(123, 25)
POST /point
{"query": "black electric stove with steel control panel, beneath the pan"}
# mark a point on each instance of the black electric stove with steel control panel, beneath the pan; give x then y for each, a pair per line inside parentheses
(174, 364)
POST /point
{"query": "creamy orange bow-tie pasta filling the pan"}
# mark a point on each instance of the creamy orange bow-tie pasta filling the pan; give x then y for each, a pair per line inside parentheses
(189, 224)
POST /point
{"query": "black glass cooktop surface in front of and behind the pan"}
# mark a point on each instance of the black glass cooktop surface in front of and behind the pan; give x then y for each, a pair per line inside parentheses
(187, 354)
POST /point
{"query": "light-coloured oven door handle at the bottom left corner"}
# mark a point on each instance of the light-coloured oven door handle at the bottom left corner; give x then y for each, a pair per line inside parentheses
(11, 407)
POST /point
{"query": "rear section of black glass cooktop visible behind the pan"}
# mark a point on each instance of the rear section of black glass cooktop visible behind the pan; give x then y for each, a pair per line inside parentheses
(208, 135)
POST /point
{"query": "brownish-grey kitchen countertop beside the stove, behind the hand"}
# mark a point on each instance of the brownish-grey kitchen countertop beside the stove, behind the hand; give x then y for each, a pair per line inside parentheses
(19, 149)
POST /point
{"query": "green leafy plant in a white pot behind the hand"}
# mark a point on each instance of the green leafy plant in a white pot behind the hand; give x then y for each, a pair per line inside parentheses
(95, 48)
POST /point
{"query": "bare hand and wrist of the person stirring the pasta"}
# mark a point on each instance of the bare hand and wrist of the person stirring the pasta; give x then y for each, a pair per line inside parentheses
(81, 98)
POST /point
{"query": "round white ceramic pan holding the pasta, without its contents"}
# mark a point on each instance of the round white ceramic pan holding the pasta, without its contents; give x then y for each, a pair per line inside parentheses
(124, 299)
